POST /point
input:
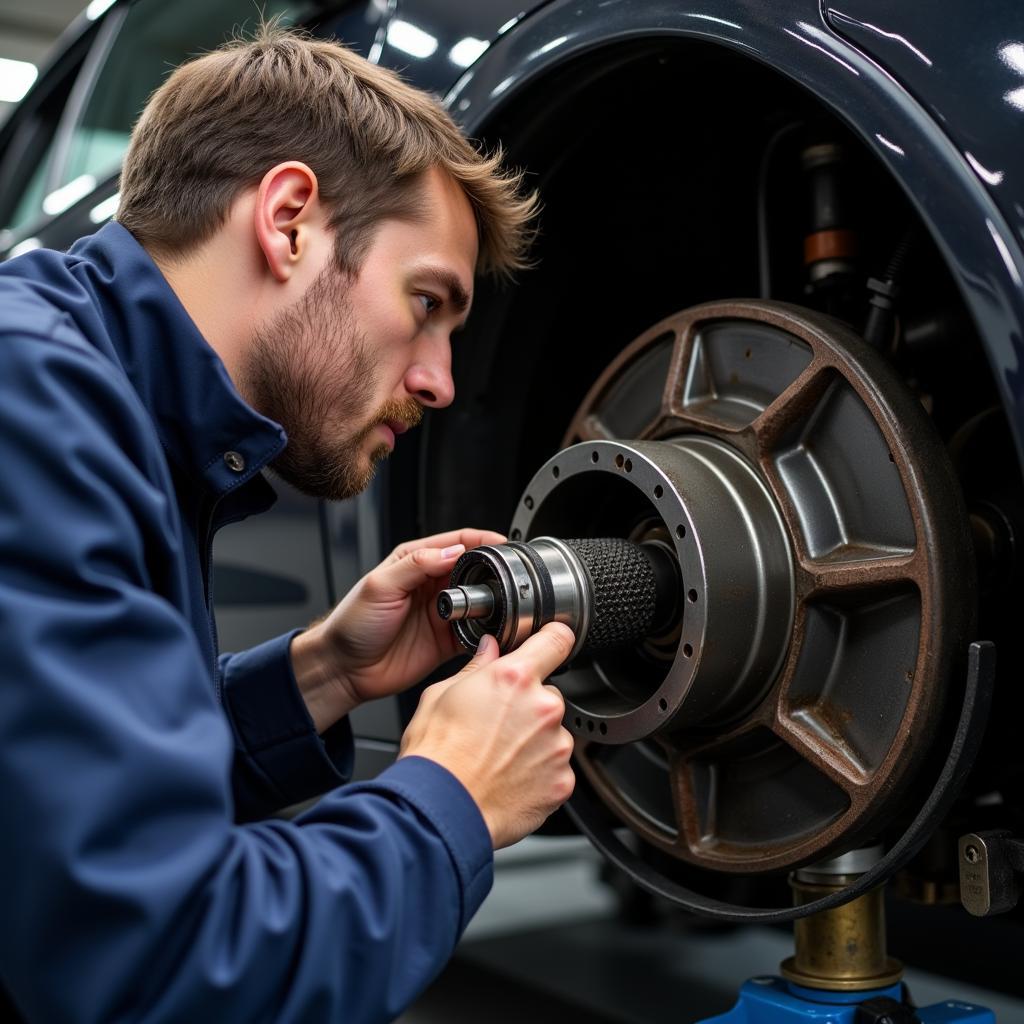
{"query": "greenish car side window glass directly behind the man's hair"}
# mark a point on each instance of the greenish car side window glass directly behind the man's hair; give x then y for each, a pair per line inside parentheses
(156, 37)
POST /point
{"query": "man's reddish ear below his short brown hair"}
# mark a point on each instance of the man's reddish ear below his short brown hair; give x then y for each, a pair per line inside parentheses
(287, 204)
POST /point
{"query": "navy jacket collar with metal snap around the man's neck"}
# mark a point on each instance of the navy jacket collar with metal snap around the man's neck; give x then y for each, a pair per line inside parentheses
(205, 426)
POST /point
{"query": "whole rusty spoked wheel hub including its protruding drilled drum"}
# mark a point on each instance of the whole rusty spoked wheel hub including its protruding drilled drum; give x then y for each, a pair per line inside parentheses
(826, 571)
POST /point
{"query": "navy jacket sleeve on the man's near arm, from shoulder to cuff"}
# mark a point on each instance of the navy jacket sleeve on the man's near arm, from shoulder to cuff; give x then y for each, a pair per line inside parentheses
(130, 894)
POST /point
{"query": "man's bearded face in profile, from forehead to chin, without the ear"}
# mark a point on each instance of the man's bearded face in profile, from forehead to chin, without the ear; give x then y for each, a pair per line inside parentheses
(352, 365)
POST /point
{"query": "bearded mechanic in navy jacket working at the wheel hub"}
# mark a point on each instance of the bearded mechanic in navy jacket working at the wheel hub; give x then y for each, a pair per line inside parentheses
(298, 233)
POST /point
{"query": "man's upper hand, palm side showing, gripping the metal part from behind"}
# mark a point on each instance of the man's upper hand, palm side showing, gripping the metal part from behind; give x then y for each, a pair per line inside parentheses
(387, 634)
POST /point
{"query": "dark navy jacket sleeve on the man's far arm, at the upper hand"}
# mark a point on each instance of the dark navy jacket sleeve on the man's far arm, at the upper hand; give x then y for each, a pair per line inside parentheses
(280, 759)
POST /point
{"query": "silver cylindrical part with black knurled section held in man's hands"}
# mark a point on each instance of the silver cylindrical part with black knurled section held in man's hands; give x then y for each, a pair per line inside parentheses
(609, 591)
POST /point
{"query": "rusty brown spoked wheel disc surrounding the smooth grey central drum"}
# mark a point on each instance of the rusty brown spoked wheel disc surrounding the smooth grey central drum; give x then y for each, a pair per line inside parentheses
(881, 561)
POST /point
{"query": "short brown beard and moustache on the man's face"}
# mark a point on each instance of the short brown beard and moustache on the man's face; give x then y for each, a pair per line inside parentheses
(311, 370)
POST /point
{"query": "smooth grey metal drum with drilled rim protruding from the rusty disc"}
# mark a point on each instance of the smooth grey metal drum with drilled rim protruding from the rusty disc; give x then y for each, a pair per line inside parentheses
(730, 541)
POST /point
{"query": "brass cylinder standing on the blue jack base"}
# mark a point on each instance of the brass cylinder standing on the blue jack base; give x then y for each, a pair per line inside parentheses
(843, 949)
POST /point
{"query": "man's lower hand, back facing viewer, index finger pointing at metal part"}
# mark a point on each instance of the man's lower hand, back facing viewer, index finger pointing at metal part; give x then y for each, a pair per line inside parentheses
(498, 730)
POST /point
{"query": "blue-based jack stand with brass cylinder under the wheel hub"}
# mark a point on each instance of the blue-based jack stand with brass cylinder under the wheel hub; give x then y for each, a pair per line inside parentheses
(841, 973)
